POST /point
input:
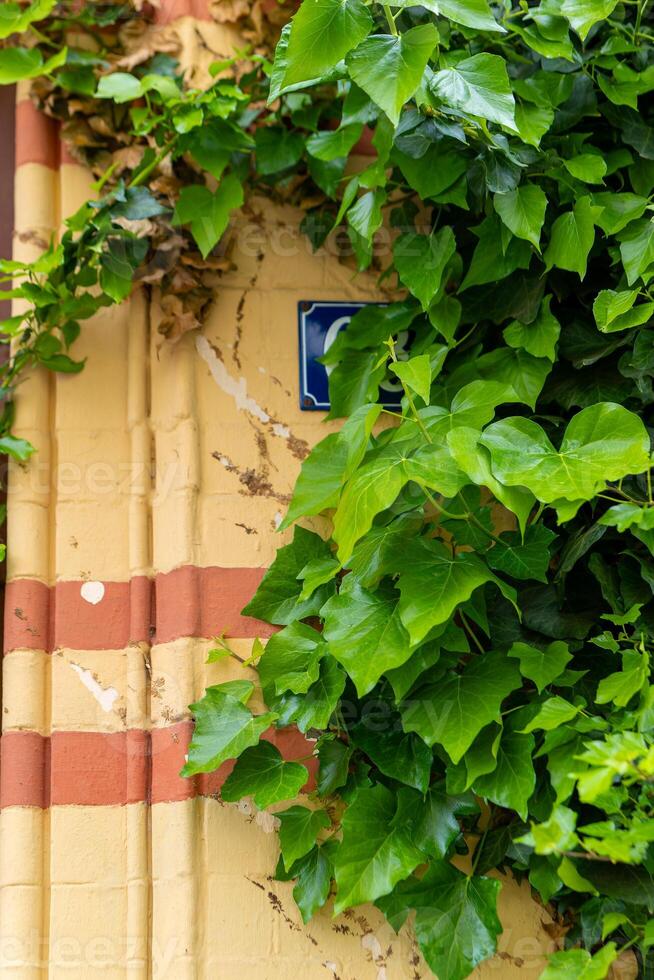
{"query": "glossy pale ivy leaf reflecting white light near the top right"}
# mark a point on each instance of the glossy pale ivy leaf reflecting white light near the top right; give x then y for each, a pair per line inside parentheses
(478, 86)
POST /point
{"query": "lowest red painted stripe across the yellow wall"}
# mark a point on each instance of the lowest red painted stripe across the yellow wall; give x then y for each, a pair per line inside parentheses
(100, 769)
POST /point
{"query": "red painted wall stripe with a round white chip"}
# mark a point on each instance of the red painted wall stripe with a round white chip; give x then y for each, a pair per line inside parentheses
(189, 601)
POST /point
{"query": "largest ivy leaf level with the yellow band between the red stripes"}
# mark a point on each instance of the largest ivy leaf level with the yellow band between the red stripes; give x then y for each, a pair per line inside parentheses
(453, 711)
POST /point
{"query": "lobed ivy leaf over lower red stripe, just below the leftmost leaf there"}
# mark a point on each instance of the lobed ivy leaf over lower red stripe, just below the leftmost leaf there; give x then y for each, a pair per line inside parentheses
(262, 773)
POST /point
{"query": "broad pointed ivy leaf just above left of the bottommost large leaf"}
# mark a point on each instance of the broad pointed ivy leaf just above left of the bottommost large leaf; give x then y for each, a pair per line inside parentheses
(375, 852)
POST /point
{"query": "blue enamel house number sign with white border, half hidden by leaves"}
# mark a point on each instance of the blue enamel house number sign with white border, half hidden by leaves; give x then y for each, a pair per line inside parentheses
(319, 323)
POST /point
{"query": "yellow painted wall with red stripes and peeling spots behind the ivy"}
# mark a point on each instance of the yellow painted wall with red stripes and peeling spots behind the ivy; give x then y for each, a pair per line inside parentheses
(136, 533)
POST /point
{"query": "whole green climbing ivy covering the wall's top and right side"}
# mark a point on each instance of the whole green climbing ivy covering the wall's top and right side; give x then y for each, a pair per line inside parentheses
(466, 609)
